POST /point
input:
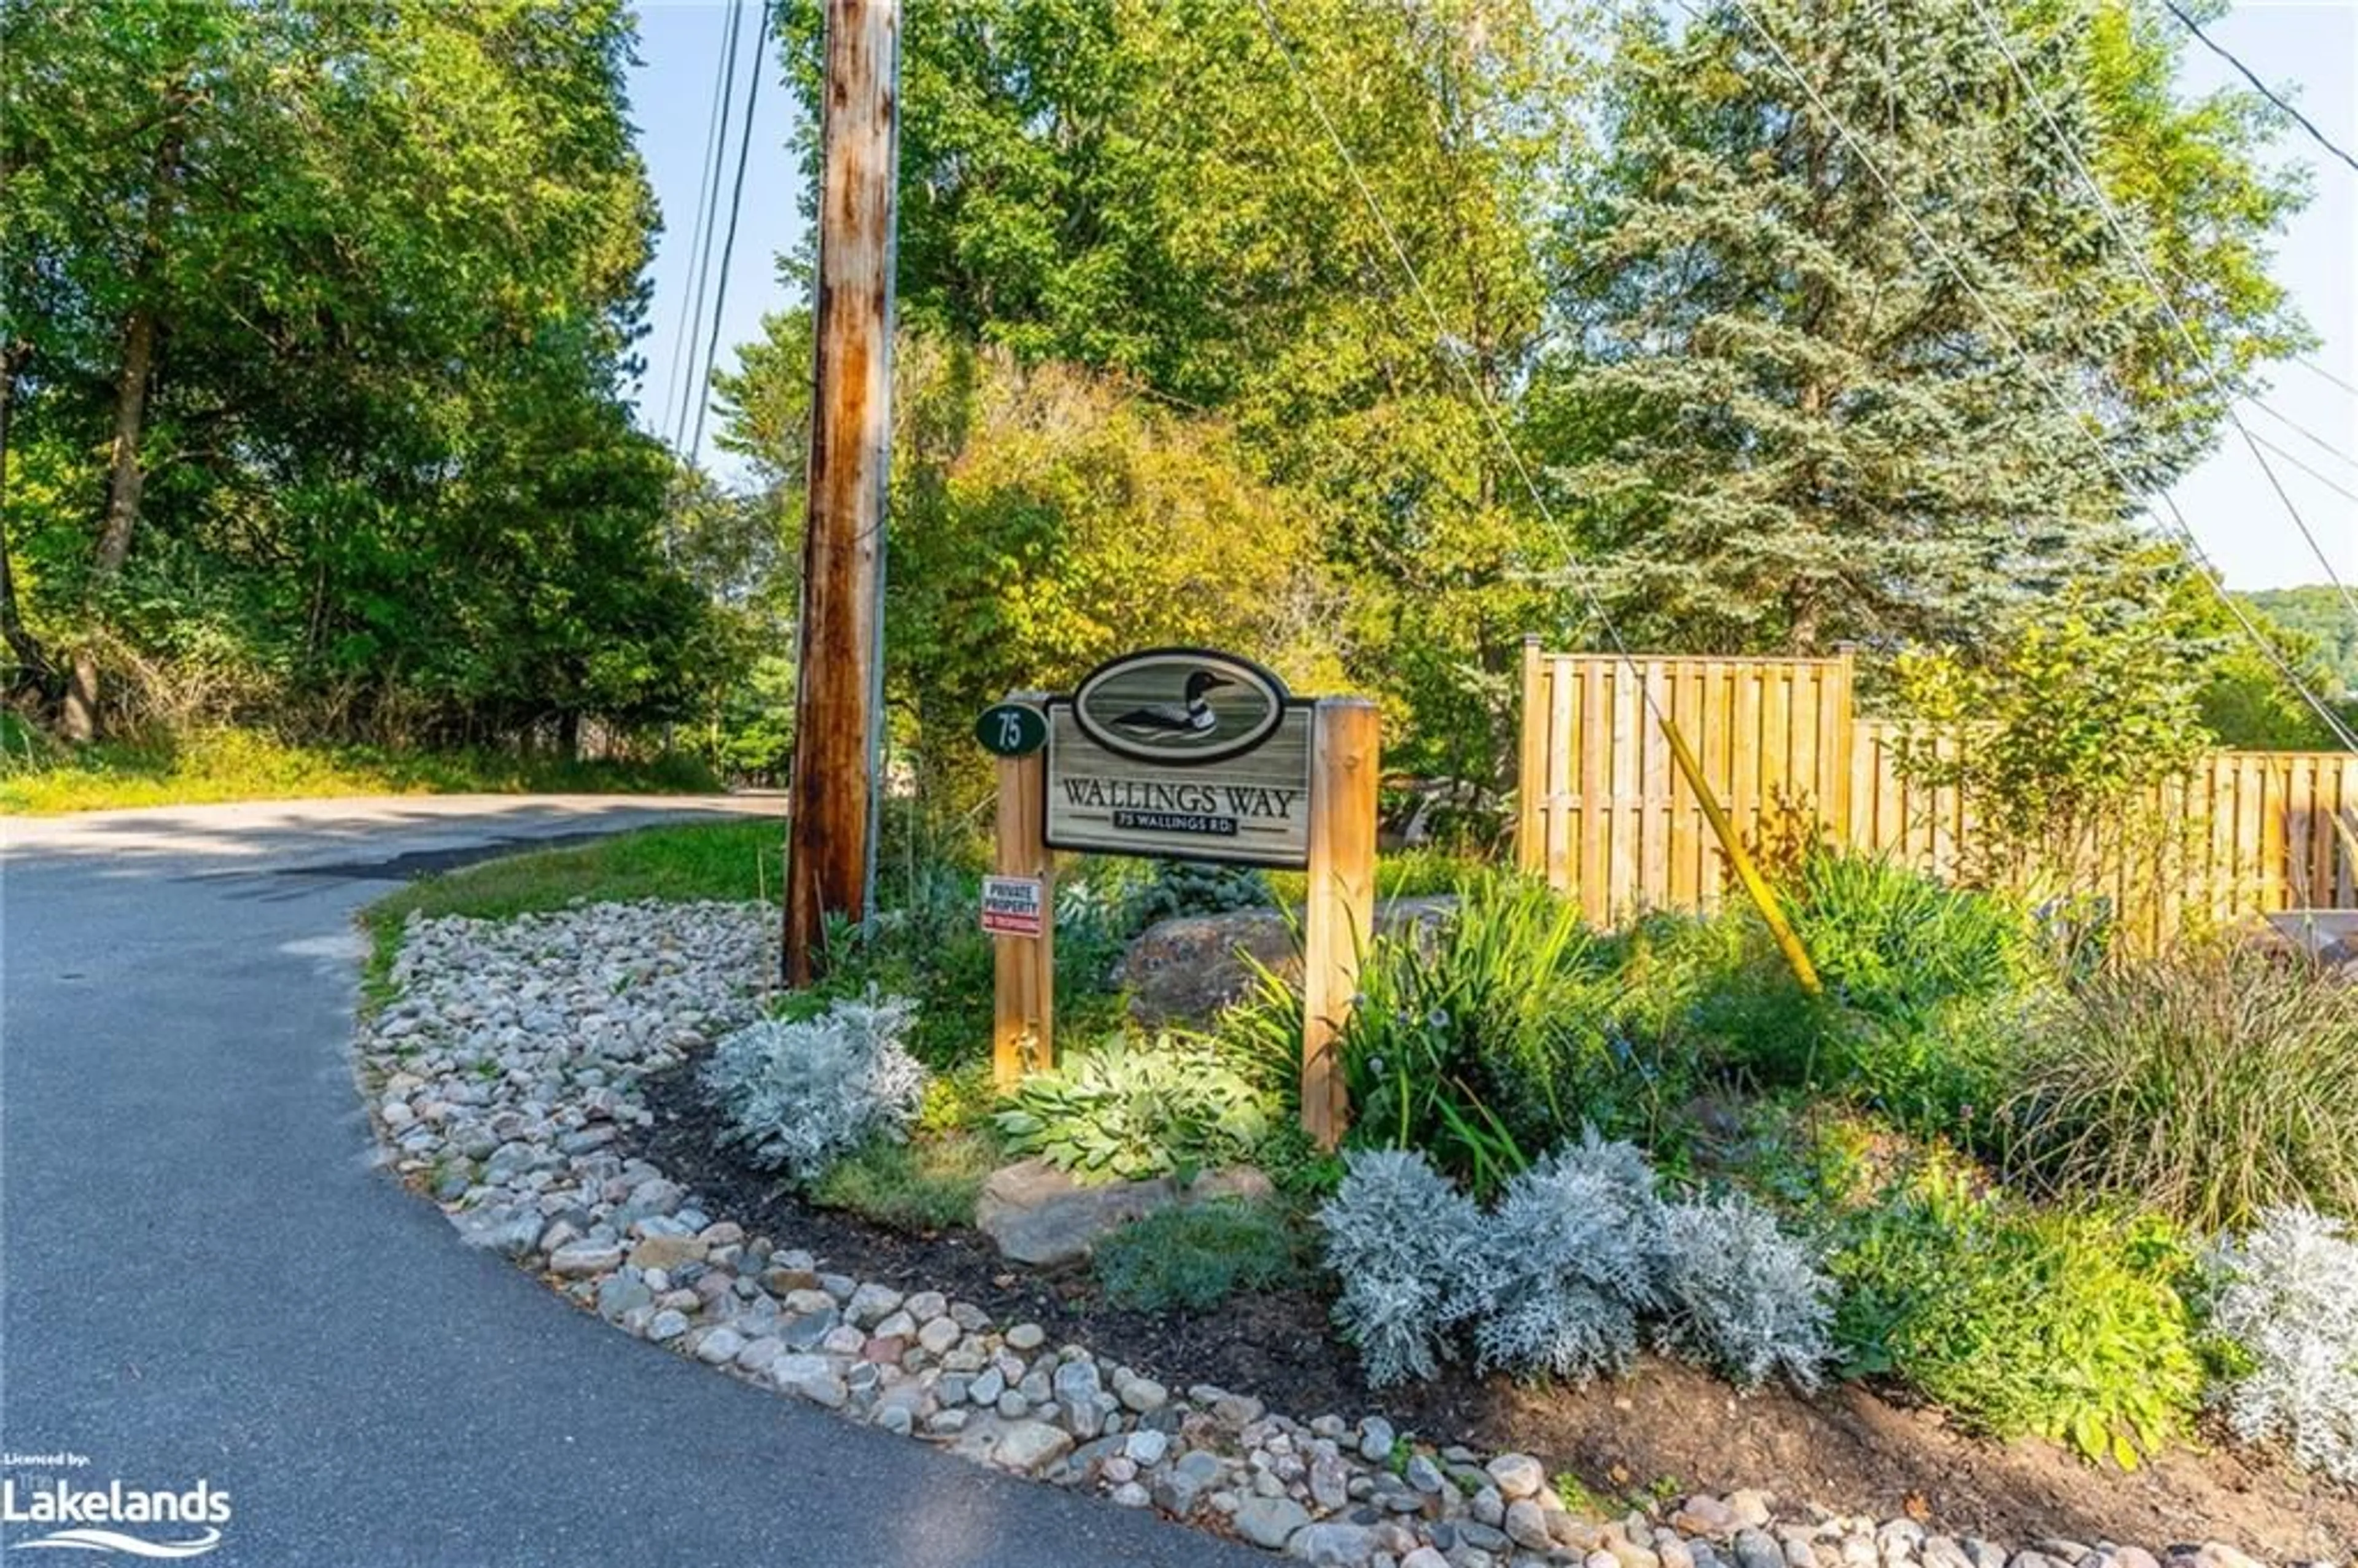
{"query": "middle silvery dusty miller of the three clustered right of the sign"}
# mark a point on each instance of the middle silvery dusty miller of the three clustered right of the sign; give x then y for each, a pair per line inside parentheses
(1569, 1263)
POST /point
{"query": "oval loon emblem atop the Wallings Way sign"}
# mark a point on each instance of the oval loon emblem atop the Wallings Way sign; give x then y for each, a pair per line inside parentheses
(1180, 706)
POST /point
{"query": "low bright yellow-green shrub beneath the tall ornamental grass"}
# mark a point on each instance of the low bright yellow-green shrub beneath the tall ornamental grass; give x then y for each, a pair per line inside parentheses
(2022, 1322)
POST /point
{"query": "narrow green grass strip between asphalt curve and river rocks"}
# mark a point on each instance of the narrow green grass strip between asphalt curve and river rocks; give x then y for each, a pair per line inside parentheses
(732, 862)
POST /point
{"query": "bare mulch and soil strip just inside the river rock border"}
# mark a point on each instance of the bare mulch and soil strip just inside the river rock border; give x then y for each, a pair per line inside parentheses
(1664, 1425)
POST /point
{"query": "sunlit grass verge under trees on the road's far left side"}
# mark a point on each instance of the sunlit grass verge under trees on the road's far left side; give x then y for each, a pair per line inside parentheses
(46, 779)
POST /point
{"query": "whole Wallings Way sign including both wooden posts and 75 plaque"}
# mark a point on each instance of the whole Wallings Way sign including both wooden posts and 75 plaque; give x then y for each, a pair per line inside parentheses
(1187, 756)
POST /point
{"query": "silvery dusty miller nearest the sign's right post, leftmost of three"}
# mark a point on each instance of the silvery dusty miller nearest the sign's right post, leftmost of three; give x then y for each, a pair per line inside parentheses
(1397, 1234)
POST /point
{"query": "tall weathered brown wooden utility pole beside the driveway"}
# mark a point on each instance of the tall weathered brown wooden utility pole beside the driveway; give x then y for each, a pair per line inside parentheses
(841, 673)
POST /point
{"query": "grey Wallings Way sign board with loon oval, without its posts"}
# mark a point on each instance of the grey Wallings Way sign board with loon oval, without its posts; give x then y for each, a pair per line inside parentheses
(1183, 753)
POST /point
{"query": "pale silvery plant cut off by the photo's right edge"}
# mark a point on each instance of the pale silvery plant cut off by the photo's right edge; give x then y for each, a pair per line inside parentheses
(2284, 1305)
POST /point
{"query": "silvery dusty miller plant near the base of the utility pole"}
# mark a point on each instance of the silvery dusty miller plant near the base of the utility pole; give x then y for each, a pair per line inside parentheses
(803, 1093)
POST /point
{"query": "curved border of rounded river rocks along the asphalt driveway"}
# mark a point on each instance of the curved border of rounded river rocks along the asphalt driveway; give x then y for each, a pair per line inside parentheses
(506, 1069)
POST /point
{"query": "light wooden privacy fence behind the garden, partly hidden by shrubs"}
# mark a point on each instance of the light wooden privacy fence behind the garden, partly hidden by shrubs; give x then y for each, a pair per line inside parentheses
(1602, 810)
